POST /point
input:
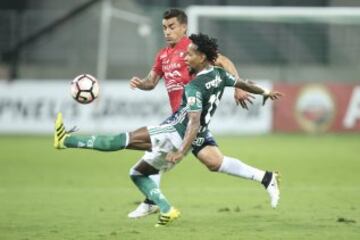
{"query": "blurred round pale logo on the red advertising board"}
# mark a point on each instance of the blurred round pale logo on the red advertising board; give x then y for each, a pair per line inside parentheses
(315, 108)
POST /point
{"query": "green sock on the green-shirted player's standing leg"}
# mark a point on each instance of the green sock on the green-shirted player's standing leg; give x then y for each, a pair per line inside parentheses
(149, 188)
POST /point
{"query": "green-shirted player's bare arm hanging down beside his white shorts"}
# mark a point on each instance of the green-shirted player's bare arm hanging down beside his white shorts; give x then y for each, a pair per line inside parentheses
(192, 129)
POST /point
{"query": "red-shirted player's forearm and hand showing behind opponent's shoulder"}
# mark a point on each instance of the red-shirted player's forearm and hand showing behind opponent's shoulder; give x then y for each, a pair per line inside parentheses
(241, 97)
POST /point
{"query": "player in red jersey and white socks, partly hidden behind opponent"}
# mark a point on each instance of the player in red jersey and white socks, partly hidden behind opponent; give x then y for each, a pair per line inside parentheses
(170, 65)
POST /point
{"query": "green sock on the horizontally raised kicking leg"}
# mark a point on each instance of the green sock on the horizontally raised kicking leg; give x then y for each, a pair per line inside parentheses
(98, 142)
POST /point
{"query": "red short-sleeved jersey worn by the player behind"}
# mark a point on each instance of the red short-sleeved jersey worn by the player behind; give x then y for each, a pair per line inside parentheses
(170, 65)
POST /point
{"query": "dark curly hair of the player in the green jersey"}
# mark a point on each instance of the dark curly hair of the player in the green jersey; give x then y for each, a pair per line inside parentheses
(206, 45)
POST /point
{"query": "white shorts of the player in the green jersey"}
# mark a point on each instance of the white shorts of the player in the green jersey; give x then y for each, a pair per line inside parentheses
(164, 139)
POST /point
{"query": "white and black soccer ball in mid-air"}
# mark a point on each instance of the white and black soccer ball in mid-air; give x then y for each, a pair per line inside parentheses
(84, 88)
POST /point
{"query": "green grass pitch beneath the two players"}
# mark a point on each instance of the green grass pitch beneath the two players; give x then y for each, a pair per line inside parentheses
(79, 194)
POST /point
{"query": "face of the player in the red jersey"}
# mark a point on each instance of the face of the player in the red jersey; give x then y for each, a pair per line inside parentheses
(173, 30)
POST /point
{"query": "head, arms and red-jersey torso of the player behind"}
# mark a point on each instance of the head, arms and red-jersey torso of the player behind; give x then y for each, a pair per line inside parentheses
(170, 64)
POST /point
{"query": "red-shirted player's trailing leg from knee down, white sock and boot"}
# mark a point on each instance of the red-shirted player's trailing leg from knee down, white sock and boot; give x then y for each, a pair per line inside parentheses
(212, 157)
